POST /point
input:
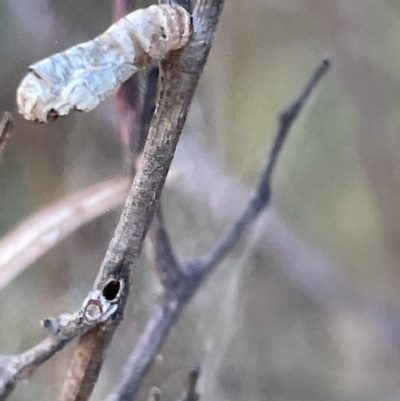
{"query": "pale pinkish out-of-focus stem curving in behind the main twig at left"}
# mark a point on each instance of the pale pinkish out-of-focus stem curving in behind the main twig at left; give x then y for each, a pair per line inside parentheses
(42, 231)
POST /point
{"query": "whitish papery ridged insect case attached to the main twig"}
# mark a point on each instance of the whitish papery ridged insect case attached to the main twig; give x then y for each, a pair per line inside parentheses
(85, 74)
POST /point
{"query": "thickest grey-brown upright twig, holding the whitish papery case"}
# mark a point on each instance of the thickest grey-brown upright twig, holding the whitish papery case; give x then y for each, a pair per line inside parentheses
(179, 77)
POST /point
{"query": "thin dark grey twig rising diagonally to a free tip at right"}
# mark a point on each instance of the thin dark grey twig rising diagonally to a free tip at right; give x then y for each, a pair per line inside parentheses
(176, 297)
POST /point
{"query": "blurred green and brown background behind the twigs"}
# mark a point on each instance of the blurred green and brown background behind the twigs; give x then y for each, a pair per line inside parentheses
(258, 330)
